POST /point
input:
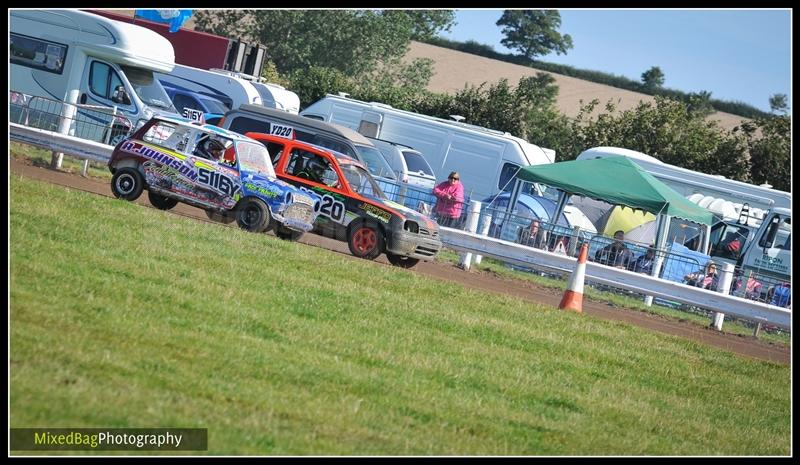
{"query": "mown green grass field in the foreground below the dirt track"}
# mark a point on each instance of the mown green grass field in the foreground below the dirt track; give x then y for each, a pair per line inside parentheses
(123, 316)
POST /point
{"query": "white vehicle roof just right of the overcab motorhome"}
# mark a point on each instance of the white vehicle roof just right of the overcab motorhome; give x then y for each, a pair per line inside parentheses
(238, 91)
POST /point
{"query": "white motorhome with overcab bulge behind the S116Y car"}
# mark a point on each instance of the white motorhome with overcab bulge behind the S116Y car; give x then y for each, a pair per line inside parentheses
(54, 53)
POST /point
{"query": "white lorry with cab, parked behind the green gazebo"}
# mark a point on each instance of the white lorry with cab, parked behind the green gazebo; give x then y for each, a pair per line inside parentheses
(754, 231)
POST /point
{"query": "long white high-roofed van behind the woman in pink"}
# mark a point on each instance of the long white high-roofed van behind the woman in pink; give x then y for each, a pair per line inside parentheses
(487, 160)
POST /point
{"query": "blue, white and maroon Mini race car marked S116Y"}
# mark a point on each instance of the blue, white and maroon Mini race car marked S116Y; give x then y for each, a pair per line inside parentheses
(228, 175)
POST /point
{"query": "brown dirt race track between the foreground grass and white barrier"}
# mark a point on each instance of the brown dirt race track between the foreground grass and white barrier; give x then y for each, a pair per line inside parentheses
(742, 345)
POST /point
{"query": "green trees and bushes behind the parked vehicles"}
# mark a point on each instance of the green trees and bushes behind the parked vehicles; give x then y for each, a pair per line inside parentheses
(316, 52)
